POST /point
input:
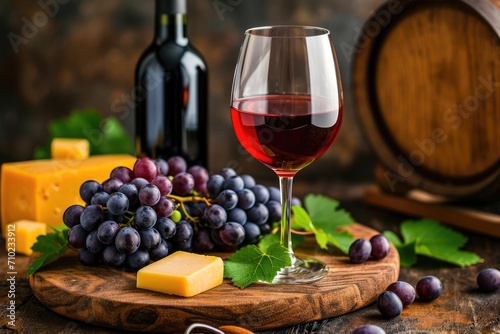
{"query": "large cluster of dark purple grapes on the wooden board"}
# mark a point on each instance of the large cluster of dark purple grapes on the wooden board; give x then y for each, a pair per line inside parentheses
(159, 206)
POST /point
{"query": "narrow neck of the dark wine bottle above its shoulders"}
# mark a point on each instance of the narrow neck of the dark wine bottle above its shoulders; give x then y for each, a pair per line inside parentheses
(170, 22)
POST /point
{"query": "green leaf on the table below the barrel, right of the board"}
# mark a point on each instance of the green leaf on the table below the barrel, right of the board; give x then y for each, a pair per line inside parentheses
(430, 238)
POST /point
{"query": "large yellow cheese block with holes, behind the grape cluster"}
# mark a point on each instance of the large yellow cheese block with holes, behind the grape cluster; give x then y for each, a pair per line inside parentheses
(41, 190)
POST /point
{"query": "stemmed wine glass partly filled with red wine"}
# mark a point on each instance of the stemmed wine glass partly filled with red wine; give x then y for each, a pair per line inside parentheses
(286, 110)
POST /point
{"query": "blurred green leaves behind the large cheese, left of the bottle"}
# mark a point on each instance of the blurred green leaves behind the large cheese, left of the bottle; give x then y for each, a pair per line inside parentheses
(105, 136)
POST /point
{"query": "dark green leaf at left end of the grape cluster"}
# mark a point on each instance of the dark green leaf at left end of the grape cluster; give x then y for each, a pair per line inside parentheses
(51, 246)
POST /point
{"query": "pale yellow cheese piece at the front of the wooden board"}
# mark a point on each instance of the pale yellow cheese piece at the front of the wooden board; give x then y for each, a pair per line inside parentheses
(183, 274)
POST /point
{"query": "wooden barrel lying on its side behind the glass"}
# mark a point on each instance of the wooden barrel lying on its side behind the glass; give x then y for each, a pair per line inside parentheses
(426, 87)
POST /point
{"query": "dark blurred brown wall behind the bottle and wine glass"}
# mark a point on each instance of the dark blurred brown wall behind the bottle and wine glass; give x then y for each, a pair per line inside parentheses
(82, 54)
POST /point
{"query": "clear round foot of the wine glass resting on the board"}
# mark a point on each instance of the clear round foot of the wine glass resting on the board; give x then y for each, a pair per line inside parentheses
(303, 270)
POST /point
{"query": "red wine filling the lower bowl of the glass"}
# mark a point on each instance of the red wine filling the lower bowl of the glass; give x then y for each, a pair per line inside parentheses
(283, 132)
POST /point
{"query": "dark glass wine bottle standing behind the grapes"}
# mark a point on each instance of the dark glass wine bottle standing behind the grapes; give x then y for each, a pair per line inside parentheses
(171, 91)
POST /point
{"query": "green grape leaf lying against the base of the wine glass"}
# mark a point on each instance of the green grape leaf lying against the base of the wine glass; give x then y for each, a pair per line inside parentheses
(251, 264)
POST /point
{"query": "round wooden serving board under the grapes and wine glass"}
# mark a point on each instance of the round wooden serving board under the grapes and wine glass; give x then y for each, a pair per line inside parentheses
(109, 297)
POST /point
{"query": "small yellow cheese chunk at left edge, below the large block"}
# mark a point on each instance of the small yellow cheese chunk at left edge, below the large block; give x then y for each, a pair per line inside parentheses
(23, 234)
